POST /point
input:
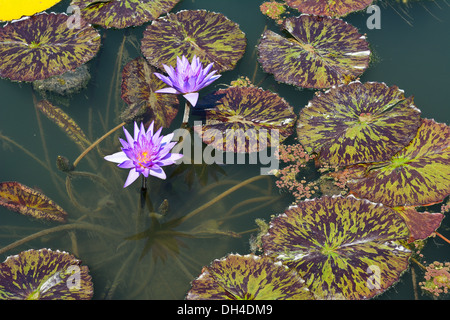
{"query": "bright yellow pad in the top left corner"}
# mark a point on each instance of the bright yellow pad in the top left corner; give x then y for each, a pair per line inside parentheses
(16, 9)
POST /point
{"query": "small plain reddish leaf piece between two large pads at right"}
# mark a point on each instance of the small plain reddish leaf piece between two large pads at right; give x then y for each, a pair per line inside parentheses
(420, 224)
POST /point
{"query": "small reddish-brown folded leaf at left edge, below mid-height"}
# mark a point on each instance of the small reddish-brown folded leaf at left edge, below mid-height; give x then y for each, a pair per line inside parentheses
(27, 201)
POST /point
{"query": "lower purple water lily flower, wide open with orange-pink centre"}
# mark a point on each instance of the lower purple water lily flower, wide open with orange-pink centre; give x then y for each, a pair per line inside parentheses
(145, 153)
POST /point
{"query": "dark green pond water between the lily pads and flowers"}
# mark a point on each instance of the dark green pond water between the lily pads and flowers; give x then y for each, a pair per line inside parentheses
(410, 51)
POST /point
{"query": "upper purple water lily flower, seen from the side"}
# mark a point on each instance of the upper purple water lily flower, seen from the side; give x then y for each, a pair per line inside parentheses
(187, 79)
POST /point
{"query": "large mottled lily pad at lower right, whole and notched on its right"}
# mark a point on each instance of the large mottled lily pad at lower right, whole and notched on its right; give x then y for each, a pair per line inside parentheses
(343, 247)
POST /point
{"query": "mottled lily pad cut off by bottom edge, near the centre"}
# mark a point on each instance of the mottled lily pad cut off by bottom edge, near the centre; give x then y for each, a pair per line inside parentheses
(248, 277)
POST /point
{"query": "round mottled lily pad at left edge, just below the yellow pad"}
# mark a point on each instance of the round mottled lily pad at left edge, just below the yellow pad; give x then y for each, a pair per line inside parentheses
(45, 45)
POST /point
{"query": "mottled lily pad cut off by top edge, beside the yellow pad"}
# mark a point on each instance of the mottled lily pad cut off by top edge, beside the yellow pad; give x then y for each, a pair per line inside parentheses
(124, 13)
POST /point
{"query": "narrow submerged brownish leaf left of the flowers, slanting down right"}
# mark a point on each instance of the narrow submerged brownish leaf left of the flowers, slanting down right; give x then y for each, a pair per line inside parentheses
(62, 119)
